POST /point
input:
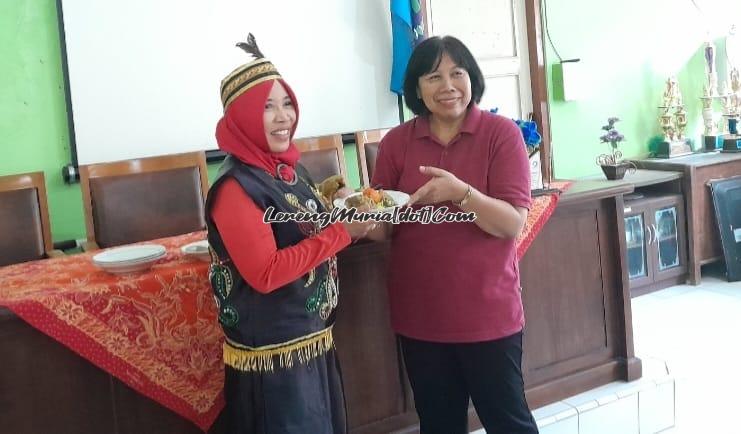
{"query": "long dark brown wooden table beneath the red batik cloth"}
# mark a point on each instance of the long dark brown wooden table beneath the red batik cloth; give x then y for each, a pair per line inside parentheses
(578, 336)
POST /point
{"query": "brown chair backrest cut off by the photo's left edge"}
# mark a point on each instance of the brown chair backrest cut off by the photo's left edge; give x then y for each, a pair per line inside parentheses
(25, 232)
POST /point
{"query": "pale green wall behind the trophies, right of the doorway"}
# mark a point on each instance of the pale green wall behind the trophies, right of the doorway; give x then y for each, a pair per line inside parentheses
(627, 49)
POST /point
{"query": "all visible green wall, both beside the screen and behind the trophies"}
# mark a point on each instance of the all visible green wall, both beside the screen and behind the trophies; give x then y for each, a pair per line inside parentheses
(628, 50)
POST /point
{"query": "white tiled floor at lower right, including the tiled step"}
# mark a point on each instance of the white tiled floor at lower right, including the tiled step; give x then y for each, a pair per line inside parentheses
(689, 338)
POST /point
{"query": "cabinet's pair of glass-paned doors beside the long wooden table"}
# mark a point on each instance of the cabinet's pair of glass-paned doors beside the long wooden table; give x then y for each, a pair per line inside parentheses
(656, 252)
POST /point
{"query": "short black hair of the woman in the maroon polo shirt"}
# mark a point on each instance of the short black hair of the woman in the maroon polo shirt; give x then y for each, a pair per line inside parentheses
(426, 58)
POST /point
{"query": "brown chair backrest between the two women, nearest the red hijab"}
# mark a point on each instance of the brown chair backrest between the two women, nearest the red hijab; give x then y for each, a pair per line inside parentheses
(323, 156)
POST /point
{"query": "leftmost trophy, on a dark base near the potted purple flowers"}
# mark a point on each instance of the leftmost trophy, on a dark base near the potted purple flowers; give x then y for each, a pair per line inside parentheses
(673, 121)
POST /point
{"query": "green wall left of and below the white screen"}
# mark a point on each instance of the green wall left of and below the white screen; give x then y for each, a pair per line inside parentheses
(33, 119)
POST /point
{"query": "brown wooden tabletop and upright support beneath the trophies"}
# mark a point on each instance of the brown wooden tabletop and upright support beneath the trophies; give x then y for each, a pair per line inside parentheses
(698, 169)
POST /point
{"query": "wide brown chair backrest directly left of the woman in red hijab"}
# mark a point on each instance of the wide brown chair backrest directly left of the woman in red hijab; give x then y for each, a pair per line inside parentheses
(143, 199)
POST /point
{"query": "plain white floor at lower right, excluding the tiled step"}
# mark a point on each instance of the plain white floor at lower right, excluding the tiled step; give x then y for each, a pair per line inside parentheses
(696, 330)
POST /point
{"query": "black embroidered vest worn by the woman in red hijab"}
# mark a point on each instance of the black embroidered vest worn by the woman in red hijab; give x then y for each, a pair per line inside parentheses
(301, 308)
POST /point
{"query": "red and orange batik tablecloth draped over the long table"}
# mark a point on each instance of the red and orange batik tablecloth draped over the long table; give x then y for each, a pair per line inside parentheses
(156, 331)
